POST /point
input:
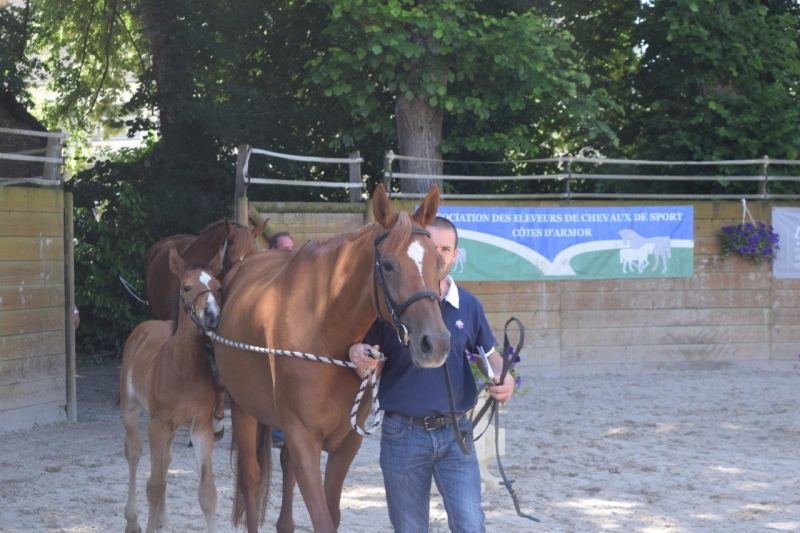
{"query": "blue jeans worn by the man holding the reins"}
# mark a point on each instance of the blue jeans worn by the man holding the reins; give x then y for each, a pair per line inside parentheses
(410, 457)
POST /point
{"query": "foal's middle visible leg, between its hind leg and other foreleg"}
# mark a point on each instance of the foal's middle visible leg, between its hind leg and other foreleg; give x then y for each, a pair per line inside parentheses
(160, 434)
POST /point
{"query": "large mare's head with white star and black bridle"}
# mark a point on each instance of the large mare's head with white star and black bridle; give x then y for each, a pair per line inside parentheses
(407, 269)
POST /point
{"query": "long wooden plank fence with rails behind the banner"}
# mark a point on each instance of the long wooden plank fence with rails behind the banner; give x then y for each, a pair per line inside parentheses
(729, 313)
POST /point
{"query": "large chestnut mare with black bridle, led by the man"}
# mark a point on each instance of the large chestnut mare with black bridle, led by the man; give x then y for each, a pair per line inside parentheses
(321, 299)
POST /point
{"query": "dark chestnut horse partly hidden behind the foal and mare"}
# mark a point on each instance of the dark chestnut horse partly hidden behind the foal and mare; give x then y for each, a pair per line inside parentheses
(162, 285)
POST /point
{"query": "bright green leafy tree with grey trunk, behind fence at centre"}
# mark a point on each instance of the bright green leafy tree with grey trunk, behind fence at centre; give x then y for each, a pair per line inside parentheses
(507, 83)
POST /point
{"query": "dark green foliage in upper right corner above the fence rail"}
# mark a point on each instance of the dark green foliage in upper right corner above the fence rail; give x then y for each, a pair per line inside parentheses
(718, 80)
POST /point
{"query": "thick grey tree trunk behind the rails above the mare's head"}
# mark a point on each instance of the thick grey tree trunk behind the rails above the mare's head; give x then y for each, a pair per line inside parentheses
(419, 132)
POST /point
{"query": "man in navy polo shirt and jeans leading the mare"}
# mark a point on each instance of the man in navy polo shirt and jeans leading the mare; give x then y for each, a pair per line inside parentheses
(417, 441)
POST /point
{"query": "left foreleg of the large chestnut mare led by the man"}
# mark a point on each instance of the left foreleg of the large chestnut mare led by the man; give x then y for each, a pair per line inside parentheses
(306, 449)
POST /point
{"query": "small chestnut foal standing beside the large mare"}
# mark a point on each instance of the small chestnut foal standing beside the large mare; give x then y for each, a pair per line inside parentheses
(165, 371)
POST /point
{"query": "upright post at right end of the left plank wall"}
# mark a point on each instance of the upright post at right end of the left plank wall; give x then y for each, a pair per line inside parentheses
(70, 308)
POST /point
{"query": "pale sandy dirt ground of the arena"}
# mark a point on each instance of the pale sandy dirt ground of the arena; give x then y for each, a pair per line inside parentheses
(702, 451)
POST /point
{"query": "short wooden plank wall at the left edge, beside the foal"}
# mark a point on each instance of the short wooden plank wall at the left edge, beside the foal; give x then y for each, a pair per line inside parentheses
(37, 350)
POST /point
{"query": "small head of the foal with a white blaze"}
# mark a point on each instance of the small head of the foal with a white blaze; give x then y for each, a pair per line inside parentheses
(200, 293)
